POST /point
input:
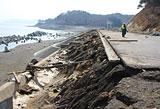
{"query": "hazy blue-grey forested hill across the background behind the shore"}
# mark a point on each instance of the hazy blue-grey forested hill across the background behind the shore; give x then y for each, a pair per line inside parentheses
(82, 18)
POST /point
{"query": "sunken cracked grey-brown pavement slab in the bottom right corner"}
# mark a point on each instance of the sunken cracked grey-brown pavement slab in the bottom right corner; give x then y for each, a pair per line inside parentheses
(138, 92)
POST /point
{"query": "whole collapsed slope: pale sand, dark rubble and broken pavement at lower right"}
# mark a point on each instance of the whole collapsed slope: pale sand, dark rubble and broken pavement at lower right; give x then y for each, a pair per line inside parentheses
(87, 80)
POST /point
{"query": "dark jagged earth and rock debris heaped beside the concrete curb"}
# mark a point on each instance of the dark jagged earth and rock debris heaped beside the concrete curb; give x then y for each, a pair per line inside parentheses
(94, 83)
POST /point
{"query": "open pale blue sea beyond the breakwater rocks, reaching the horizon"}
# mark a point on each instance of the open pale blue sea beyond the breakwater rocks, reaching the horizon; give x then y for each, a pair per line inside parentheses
(20, 27)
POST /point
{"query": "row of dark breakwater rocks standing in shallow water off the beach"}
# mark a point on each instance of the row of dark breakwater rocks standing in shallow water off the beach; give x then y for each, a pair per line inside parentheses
(12, 41)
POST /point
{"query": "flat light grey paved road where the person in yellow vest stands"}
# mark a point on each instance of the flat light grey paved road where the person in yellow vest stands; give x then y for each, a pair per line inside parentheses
(145, 53)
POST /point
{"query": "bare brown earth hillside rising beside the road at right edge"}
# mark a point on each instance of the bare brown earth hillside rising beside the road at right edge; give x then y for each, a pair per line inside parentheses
(147, 20)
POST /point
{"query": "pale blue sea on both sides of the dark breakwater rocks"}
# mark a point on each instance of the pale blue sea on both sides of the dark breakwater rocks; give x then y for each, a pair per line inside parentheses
(22, 27)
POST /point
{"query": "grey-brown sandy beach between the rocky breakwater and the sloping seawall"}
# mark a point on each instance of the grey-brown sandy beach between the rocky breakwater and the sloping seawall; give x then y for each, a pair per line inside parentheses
(18, 58)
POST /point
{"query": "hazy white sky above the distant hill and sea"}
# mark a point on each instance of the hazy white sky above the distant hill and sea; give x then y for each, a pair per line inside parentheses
(43, 9)
